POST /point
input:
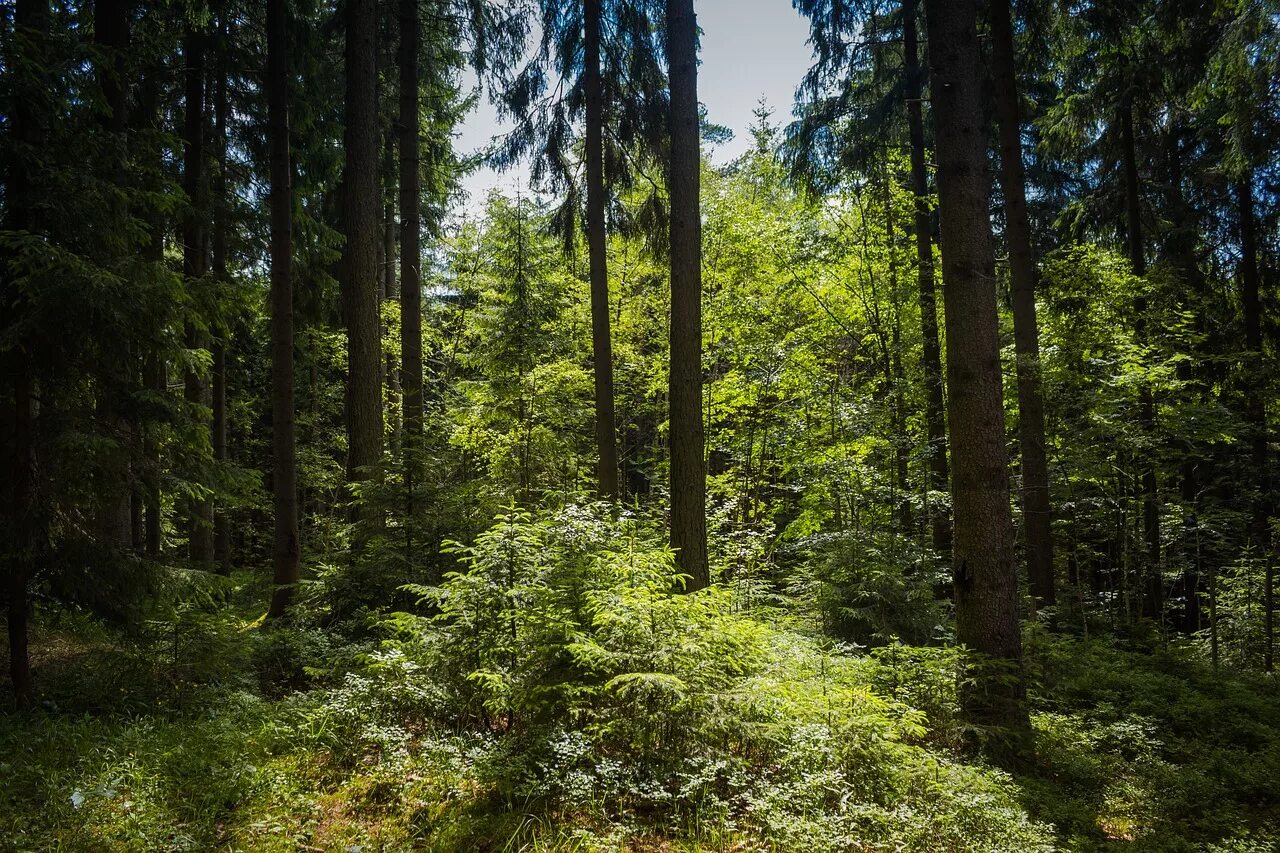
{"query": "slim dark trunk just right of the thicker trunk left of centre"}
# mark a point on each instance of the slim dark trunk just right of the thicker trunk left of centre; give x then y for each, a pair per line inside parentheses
(412, 248)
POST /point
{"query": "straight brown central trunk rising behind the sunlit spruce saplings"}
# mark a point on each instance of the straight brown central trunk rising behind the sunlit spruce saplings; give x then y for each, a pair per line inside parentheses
(688, 471)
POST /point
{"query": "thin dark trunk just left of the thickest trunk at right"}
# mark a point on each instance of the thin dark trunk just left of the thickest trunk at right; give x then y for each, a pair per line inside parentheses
(935, 417)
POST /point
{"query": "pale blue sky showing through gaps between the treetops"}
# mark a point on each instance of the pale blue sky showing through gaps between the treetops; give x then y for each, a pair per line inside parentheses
(749, 49)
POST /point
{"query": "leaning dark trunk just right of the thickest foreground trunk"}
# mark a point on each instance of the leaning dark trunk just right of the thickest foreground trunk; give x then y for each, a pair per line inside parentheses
(1037, 521)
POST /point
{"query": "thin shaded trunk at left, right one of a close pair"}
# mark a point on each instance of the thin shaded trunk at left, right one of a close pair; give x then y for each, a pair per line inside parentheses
(222, 212)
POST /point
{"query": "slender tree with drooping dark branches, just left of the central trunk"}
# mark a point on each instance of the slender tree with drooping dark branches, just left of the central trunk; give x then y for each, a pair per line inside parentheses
(610, 81)
